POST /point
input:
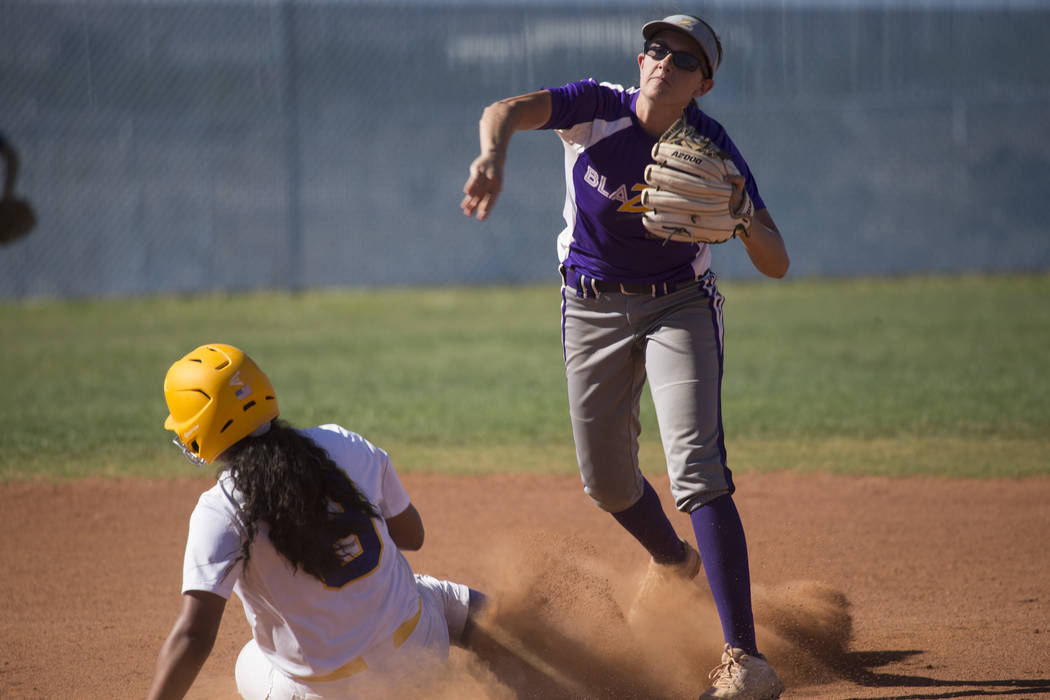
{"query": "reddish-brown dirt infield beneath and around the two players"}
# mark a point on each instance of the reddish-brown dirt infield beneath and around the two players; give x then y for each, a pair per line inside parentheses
(865, 588)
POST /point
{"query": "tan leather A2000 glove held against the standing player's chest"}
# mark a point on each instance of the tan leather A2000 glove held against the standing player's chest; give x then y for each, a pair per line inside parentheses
(689, 196)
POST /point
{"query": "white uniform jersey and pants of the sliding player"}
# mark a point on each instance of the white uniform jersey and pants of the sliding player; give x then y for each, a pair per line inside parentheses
(367, 616)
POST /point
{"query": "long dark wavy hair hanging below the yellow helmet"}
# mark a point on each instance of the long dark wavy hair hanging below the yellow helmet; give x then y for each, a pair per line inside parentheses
(290, 483)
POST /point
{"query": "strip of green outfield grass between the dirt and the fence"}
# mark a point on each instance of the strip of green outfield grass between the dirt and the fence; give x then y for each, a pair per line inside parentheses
(939, 376)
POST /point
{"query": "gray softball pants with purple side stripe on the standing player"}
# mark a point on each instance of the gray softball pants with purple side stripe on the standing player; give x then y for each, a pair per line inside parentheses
(612, 344)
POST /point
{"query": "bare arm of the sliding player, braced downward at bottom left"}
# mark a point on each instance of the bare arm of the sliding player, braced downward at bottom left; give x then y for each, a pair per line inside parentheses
(188, 646)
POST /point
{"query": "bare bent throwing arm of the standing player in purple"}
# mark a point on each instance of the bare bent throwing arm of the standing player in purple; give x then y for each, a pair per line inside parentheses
(499, 122)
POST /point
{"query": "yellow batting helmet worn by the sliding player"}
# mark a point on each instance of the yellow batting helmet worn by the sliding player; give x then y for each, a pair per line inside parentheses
(217, 396)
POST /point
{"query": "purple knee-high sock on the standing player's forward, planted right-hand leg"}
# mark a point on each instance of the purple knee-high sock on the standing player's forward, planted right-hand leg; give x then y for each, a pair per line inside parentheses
(724, 550)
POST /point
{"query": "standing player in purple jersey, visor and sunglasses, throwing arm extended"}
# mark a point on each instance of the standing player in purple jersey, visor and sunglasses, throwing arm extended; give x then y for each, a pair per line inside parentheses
(636, 308)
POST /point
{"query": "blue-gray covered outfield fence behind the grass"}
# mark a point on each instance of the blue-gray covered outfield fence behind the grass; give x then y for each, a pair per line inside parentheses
(201, 146)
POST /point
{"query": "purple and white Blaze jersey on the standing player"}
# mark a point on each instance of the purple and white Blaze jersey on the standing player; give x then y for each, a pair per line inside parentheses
(606, 155)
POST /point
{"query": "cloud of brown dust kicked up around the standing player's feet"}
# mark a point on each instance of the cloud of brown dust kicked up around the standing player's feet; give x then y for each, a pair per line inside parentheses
(564, 625)
